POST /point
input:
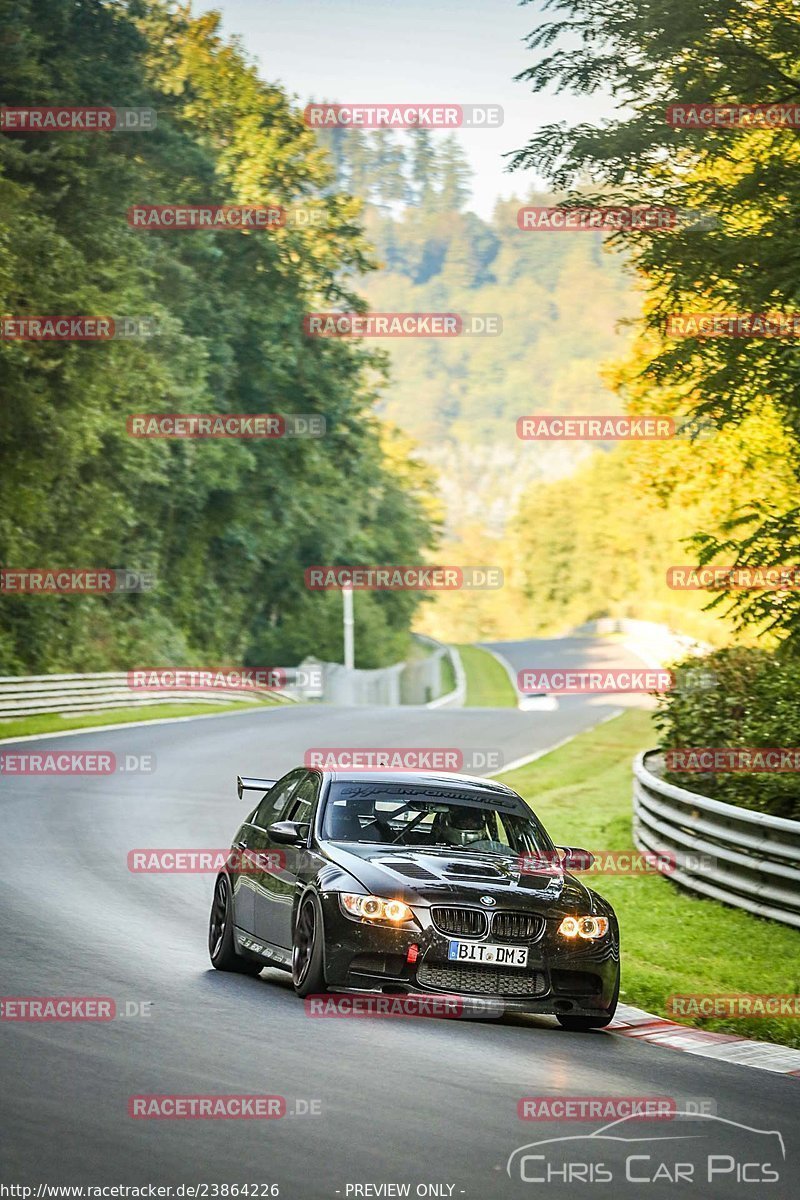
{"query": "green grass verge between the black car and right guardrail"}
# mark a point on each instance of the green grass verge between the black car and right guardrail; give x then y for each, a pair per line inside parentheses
(671, 941)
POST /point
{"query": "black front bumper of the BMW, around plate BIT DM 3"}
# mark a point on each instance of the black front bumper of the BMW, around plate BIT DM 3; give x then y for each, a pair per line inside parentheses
(561, 977)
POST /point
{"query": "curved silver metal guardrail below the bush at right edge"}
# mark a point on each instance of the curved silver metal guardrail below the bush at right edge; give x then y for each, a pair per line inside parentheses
(742, 857)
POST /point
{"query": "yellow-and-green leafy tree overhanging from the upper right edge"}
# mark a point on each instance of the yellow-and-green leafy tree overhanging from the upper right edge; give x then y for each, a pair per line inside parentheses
(744, 181)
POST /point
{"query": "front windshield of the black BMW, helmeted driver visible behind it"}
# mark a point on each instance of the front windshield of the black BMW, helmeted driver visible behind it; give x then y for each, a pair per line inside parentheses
(402, 817)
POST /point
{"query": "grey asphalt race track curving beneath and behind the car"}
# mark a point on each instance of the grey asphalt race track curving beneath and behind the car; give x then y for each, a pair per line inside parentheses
(398, 1101)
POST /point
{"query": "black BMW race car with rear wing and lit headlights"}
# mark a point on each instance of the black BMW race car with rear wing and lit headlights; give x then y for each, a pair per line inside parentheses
(414, 884)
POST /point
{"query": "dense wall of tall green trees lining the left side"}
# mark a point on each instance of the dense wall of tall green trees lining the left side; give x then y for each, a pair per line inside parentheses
(227, 527)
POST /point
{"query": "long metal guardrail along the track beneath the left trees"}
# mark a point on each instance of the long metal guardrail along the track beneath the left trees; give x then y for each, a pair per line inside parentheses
(31, 695)
